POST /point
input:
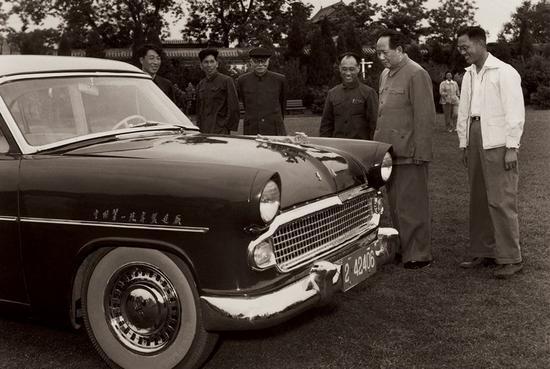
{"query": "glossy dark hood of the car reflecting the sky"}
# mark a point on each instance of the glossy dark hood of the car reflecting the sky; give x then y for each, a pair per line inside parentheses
(306, 171)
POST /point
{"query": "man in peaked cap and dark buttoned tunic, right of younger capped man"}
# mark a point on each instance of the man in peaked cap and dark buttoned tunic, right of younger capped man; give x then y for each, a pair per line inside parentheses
(263, 95)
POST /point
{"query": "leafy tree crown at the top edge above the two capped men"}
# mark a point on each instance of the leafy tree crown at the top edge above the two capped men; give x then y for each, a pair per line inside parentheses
(247, 22)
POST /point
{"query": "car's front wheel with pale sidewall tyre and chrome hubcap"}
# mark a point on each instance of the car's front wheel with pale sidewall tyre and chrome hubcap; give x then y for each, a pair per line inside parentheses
(141, 310)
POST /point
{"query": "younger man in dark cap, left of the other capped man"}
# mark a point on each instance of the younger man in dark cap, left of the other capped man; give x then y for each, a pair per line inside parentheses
(217, 102)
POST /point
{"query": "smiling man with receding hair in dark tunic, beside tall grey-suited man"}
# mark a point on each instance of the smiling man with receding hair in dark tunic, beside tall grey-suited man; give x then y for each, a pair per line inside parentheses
(351, 107)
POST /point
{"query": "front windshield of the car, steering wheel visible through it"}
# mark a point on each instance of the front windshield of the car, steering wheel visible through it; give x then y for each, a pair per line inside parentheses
(49, 110)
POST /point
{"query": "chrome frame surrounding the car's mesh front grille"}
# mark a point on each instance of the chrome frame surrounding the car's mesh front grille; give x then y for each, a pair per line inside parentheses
(312, 208)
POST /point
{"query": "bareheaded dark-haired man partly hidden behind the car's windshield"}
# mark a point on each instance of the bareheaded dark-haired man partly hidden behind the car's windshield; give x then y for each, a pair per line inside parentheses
(149, 56)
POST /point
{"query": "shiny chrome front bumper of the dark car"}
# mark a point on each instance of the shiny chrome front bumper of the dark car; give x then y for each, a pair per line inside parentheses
(323, 280)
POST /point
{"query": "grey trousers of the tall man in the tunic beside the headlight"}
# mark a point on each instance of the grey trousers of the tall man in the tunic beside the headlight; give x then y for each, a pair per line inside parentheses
(410, 210)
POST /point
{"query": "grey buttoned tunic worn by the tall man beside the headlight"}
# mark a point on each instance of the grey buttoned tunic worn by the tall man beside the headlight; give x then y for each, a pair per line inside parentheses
(406, 114)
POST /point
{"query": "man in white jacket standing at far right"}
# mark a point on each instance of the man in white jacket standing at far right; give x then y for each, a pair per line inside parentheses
(491, 115)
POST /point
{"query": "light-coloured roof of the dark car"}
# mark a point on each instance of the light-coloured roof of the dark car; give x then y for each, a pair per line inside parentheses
(29, 64)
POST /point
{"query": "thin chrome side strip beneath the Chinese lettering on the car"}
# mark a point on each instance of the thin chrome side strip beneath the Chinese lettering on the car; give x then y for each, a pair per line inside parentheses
(117, 225)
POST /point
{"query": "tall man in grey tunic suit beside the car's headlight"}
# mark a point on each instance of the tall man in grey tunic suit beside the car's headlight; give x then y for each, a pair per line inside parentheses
(406, 118)
